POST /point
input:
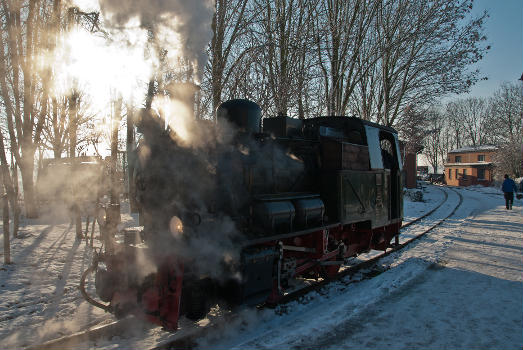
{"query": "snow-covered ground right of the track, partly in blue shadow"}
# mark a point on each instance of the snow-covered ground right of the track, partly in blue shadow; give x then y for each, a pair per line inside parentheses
(460, 288)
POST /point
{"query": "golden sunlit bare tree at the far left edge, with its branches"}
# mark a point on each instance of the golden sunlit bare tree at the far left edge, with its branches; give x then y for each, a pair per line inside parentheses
(29, 32)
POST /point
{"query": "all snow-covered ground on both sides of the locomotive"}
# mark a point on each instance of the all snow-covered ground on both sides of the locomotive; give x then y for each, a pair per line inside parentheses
(459, 287)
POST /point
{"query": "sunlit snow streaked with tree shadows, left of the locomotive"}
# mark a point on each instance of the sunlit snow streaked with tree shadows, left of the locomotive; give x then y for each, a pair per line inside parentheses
(40, 296)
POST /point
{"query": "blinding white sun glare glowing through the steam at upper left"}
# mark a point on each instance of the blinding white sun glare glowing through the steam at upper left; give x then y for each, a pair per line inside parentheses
(102, 68)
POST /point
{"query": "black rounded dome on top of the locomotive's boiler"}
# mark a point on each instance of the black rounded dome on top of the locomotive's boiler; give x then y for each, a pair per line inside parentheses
(244, 114)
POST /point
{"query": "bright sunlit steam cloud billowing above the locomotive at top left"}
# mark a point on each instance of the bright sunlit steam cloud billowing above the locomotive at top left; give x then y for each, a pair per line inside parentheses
(136, 41)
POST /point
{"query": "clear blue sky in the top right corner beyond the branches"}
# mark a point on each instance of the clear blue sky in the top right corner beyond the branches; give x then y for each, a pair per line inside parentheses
(504, 31)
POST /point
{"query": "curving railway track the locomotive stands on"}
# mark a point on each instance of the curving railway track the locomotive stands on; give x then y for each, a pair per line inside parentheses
(187, 340)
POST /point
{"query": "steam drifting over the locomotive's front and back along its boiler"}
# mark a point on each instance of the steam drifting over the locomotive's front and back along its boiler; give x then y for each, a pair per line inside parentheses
(195, 180)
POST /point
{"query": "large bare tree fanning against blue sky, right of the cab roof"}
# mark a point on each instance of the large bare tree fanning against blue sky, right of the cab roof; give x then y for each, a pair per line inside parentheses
(425, 50)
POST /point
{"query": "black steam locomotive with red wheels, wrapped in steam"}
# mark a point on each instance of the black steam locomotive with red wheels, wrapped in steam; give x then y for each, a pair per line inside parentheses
(238, 219)
